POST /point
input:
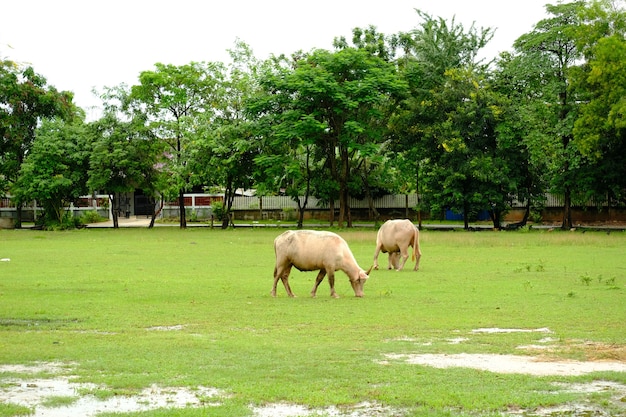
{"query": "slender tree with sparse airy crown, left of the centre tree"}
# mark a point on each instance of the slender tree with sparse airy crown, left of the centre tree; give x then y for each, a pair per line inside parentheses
(174, 99)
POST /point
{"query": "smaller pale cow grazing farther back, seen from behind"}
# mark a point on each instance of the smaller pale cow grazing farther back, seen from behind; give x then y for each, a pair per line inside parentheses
(395, 237)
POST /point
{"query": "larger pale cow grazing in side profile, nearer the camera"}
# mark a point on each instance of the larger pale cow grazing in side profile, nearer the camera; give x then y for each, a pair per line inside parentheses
(310, 250)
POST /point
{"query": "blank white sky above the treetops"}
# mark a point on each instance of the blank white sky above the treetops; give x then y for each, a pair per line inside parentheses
(79, 45)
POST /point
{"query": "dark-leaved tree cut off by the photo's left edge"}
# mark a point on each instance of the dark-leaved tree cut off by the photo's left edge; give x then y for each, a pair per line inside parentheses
(25, 100)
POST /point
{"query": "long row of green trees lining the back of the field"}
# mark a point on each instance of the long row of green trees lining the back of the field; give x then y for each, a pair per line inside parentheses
(413, 111)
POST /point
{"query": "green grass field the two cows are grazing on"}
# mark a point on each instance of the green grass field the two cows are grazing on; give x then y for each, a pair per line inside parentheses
(132, 308)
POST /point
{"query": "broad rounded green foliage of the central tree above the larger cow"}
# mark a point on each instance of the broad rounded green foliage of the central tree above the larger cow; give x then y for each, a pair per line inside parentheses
(329, 117)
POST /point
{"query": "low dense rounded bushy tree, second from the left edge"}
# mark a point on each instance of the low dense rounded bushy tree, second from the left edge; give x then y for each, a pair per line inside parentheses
(55, 170)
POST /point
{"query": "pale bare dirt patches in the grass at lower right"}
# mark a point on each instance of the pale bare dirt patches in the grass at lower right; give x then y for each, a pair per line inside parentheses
(545, 359)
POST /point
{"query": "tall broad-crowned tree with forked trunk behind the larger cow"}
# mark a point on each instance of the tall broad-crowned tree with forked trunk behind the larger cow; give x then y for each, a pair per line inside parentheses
(335, 101)
